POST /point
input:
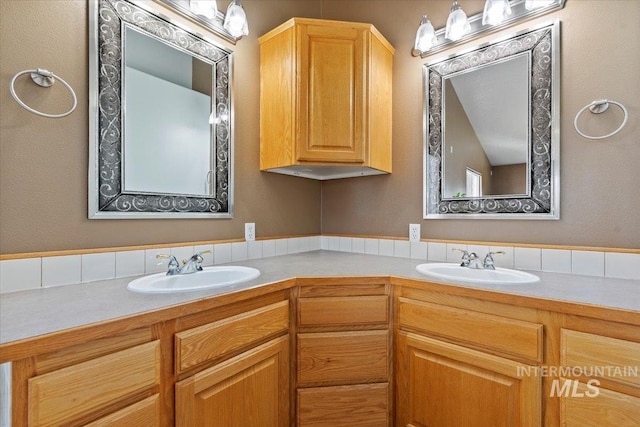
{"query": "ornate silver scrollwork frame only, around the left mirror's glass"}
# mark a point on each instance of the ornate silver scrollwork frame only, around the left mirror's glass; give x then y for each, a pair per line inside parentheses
(108, 199)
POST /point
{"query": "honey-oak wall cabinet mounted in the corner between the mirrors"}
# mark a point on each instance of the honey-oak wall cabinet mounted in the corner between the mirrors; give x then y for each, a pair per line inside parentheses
(325, 99)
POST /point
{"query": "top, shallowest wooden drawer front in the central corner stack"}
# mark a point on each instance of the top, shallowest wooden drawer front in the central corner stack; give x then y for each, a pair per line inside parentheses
(343, 311)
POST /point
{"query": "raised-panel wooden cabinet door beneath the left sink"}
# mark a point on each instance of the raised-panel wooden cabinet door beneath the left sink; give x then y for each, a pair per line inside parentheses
(249, 390)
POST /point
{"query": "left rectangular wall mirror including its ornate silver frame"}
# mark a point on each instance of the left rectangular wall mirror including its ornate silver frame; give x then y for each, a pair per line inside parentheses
(160, 122)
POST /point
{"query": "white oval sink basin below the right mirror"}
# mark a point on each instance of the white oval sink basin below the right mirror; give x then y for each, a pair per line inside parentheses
(499, 276)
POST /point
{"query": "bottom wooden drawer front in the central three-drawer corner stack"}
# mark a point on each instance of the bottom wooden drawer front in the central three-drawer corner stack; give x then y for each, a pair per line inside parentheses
(365, 405)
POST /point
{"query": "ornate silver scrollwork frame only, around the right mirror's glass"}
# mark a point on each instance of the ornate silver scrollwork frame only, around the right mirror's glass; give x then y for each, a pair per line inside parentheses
(542, 200)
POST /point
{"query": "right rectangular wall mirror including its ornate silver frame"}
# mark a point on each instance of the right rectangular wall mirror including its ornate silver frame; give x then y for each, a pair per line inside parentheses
(492, 130)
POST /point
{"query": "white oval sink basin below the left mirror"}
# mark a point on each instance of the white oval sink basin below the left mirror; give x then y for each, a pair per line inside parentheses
(209, 277)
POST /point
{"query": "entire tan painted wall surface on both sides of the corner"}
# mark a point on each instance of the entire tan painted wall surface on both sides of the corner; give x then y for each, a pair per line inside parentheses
(43, 162)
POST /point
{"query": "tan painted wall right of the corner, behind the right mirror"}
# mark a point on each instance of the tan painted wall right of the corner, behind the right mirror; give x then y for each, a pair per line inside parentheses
(600, 191)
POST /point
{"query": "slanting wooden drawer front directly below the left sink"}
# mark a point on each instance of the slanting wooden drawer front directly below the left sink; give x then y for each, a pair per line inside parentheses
(216, 339)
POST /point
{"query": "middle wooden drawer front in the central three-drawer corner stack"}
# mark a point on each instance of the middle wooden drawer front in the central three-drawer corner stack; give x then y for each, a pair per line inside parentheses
(343, 357)
